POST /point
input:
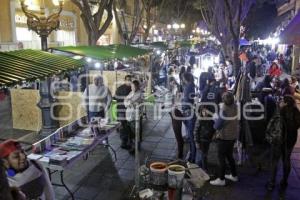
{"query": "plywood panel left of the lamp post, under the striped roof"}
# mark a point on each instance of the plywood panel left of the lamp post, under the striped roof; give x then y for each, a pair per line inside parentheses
(25, 113)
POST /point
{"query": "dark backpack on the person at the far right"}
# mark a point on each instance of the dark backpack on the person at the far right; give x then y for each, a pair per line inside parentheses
(274, 131)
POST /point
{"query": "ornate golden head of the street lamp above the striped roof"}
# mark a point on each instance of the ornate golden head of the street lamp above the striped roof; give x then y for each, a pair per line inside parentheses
(41, 24)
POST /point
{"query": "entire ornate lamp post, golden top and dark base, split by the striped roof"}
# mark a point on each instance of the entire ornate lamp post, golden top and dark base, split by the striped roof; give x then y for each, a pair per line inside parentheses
(43, 25)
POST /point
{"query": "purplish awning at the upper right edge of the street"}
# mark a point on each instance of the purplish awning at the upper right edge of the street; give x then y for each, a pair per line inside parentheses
(291, 34)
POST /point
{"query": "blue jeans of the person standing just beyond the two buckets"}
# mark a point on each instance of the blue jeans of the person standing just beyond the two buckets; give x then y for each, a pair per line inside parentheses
(190, 124)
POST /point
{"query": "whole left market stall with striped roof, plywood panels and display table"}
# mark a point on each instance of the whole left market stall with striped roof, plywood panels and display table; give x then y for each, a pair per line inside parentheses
(75, 138)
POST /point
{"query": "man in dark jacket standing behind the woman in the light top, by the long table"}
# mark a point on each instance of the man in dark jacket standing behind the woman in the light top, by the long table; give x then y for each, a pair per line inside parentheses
(121, 93)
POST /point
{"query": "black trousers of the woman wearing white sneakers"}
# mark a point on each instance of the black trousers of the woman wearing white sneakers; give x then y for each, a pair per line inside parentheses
(225, 152)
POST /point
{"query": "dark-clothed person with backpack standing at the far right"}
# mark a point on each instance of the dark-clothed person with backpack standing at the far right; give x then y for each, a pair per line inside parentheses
(282, 133)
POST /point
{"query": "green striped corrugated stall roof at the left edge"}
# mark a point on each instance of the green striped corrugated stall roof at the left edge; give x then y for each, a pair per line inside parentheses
(25, 65)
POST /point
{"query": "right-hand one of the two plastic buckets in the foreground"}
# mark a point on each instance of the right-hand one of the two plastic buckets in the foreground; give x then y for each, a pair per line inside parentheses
(175, 176)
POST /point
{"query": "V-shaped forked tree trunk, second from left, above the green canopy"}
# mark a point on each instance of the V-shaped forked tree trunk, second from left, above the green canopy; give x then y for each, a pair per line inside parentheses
(127, 34)
